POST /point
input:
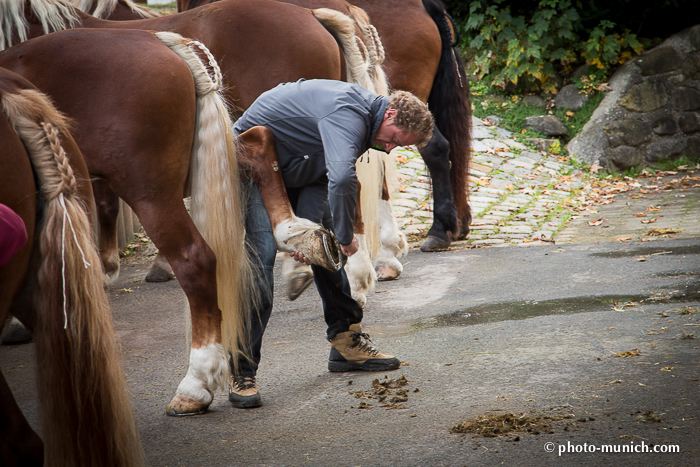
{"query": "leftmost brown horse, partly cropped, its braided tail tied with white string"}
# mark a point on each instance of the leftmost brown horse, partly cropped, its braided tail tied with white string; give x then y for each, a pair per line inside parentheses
(54, 285)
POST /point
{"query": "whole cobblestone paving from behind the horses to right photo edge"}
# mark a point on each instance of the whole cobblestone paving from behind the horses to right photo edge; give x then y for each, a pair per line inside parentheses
(523, 197)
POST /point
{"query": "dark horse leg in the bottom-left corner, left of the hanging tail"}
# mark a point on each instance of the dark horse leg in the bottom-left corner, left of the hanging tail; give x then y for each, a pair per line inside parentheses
(19, 444)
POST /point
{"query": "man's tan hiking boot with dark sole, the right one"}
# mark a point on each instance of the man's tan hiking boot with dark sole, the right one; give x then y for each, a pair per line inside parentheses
(352, 350)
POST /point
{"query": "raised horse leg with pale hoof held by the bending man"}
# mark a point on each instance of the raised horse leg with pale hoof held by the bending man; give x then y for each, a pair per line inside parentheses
(258, 160)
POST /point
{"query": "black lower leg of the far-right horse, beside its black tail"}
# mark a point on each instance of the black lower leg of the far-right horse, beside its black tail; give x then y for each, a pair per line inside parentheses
(445, 226)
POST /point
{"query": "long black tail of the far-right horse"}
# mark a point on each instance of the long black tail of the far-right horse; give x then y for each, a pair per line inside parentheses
(451, 107)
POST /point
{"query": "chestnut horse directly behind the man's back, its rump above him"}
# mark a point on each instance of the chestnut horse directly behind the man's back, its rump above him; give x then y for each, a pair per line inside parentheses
(281, 42)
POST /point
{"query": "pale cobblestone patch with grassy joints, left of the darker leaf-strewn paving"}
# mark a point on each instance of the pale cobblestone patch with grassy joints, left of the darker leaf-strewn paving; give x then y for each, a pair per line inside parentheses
(517, 195)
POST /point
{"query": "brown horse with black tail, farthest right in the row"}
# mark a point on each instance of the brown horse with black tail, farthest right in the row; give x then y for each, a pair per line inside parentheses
(417, 38)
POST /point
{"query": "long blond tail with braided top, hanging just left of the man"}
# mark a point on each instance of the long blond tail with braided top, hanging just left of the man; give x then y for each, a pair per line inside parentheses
(217, 208)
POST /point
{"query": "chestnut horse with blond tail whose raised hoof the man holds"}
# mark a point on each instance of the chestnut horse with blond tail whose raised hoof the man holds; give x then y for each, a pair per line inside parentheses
(188, 148)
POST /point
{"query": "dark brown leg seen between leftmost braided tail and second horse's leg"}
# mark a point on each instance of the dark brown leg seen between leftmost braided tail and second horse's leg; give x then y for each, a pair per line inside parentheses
(107, 204)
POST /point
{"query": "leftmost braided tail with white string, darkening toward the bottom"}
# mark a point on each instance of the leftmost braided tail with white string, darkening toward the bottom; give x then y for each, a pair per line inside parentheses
(86, 412)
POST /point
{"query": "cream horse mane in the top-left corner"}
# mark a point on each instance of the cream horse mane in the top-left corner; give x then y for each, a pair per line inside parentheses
(54, 15)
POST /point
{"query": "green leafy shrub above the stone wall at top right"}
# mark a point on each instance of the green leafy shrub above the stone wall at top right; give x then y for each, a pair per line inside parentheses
(527, 50)
